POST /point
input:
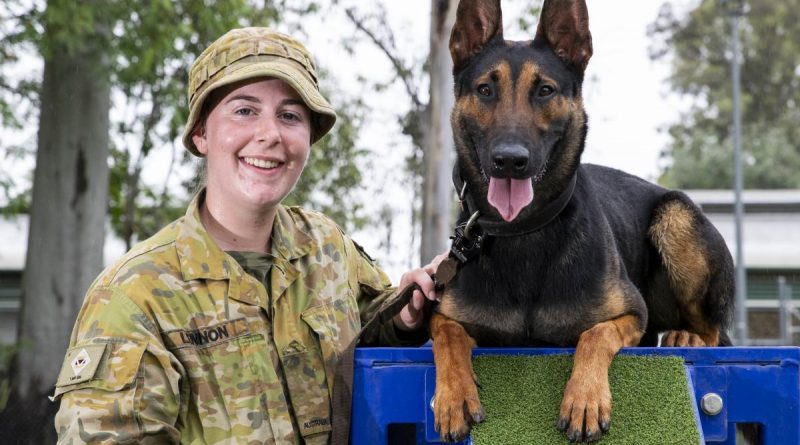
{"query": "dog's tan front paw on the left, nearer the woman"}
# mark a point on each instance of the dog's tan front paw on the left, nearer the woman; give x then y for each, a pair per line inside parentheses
(456, 408)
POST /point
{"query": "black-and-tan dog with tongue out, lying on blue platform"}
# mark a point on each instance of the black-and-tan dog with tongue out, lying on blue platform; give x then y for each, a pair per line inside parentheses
(573, 254)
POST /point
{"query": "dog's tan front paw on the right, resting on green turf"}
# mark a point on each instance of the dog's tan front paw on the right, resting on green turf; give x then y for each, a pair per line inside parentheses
(585, 412)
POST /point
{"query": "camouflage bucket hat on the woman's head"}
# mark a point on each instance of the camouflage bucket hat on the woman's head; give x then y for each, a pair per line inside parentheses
(249, 53)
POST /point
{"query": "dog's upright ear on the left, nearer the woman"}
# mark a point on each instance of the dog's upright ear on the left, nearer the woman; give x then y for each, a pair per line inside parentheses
(477, 23)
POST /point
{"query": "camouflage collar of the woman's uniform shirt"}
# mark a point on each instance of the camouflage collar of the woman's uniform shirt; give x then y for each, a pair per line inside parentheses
(201, 258)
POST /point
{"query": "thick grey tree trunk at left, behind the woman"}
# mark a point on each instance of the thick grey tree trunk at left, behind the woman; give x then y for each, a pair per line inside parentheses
(67, 226)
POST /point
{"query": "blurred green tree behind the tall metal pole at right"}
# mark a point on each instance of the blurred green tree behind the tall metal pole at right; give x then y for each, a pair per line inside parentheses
(698, 46)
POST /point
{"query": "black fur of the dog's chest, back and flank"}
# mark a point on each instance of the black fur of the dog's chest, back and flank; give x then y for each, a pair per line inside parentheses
(555, 276)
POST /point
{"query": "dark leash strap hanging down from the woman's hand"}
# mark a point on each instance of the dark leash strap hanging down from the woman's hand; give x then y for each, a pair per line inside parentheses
(342, 400)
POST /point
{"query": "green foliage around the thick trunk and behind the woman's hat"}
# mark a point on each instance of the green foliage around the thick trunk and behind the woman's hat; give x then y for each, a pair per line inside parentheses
(150, 46)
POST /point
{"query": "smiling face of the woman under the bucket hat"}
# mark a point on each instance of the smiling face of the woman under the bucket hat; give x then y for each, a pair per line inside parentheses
(256, 140)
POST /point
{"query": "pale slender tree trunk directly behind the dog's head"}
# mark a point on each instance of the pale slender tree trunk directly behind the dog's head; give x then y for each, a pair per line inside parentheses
(438, 195)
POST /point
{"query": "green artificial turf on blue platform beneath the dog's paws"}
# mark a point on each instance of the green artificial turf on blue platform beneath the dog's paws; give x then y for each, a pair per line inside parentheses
(522, 395)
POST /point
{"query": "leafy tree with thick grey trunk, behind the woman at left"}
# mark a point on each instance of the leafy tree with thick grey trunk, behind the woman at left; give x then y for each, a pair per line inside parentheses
(139, 53)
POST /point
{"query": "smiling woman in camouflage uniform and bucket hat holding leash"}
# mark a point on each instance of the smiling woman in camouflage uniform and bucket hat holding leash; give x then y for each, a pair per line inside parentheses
(226, 325)
